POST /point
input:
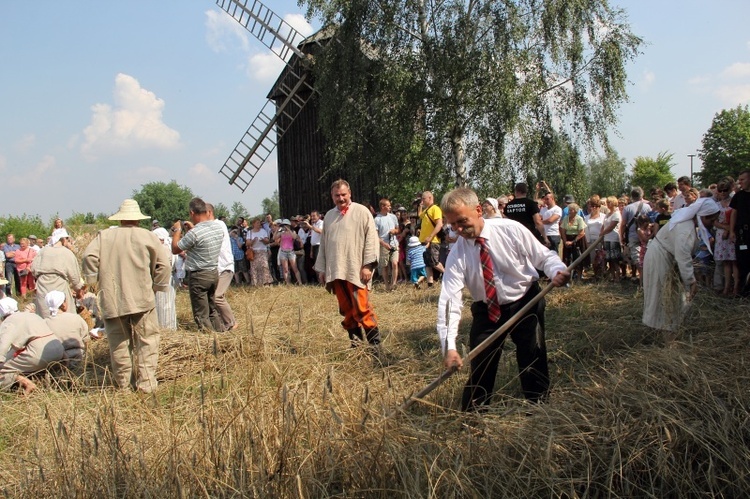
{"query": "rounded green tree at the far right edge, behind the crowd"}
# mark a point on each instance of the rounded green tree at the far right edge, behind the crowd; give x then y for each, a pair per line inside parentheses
(726, 145)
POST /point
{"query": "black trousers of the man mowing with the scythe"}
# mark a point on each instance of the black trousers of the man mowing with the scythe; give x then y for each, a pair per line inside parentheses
(531, 352)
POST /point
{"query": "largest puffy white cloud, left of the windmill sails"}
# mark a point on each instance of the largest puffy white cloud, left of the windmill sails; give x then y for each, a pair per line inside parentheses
(133, 122)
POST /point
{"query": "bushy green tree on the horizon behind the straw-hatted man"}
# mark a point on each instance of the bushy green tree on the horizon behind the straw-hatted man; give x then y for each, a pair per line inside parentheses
(165, 202)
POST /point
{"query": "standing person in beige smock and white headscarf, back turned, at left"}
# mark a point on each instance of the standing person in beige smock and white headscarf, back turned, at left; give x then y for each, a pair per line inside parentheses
(56, 268)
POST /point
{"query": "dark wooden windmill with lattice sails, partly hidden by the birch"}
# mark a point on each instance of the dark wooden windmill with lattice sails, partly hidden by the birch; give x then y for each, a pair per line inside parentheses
(288, 121)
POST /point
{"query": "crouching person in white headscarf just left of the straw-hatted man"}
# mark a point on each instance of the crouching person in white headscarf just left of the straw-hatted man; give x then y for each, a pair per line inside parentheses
(69, 327)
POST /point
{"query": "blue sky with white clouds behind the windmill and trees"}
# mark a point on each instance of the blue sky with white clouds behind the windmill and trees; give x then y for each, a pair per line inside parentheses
(99, 98)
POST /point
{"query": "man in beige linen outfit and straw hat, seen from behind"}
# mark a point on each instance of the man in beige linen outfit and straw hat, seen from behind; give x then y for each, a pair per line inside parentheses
(129, 264)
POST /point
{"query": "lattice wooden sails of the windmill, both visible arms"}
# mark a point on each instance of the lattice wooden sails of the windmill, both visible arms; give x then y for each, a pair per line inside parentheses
(282, 39)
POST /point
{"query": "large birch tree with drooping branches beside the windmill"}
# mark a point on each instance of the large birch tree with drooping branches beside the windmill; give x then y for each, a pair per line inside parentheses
(458, 92)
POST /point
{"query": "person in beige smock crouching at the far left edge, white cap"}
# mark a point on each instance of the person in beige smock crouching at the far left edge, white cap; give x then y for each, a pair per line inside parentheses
(27, 346)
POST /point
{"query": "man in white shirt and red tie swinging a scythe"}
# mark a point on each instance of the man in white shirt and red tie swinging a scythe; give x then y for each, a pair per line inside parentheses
(514, 255)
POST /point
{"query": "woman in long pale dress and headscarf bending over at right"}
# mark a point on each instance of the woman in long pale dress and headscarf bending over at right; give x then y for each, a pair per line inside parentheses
(666, 289)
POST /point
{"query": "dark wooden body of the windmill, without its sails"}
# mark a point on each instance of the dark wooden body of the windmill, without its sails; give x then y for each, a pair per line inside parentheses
(304, 184)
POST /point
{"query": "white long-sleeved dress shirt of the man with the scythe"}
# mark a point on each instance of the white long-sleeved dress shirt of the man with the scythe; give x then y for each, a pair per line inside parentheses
(515, 253)
